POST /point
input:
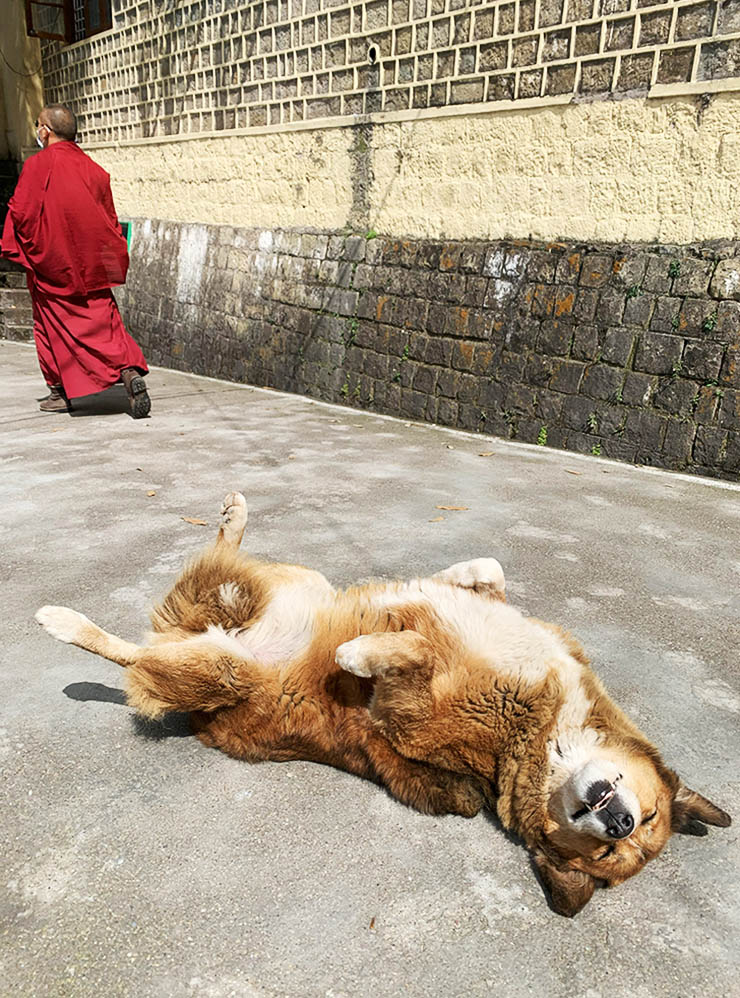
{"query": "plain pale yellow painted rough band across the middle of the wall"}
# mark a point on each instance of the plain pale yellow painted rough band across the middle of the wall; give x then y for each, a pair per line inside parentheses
(634, 170)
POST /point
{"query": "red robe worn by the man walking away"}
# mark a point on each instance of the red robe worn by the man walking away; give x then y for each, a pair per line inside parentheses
(62, 227)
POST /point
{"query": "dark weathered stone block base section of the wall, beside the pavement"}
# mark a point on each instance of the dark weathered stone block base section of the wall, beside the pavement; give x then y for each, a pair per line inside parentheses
(630, 352)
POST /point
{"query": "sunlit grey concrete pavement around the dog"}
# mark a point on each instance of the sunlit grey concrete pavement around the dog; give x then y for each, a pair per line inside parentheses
(137, 863)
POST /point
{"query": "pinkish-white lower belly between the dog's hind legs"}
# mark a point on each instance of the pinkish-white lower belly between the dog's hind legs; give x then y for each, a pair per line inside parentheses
(285, 628)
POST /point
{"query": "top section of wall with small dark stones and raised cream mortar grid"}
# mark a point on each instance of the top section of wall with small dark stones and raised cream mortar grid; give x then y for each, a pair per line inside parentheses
(221, 65)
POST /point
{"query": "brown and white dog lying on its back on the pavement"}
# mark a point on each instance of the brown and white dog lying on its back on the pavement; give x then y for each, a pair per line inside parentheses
(434, 688)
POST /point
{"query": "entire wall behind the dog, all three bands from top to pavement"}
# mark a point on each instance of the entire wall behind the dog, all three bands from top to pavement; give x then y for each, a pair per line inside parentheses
(452, 128)
